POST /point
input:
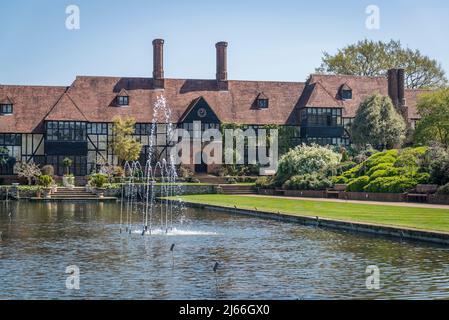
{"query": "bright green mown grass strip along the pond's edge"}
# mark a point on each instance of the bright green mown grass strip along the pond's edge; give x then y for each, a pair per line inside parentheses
(412, 217)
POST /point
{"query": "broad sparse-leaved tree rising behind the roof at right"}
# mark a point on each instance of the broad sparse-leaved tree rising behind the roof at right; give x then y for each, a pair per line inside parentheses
(370, 58)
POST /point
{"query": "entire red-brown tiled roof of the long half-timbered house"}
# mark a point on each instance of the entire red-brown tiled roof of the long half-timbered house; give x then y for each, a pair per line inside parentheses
(93, 99)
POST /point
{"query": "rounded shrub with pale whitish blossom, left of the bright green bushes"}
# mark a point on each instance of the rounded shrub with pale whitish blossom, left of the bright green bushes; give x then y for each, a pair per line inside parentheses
(306, 159)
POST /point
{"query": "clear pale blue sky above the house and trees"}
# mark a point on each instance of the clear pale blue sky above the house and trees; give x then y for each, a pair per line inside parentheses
(268, 40)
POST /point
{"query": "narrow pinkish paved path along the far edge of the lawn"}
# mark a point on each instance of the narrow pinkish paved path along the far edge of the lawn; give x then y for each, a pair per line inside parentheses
(397, 204)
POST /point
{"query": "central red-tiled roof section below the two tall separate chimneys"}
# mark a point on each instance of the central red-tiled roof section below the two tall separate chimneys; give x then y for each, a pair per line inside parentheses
(93, 95)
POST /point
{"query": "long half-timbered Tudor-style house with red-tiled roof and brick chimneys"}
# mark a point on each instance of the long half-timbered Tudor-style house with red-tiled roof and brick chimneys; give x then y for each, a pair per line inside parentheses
(47, 124)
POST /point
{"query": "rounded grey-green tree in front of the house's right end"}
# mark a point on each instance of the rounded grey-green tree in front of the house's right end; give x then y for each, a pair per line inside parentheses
(378, 123)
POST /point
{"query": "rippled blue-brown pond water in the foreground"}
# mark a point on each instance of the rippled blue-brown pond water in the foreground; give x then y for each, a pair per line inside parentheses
(258, 259)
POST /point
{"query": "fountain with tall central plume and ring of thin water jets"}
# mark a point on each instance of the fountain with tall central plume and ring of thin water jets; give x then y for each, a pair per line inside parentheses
(140, 189)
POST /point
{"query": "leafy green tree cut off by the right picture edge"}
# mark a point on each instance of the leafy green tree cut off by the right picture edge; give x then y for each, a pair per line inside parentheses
(434, 124)
